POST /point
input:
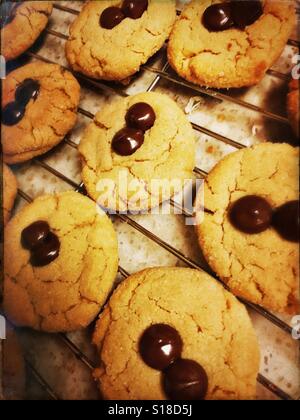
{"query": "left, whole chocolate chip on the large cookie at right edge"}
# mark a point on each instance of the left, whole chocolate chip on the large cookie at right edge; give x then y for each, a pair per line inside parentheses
(251, 214)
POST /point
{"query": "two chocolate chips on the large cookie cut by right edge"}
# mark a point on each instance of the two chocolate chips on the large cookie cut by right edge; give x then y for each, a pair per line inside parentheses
(253, 214)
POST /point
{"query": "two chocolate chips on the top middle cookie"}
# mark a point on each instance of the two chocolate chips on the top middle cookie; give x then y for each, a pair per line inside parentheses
(113, 16)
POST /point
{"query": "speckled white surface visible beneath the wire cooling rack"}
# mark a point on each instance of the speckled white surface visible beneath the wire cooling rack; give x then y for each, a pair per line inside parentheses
(66, 374)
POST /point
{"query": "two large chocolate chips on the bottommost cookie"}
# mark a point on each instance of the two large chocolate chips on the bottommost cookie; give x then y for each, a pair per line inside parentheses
(160, 347)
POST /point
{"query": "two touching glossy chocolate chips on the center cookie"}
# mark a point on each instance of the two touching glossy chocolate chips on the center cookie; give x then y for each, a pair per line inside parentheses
(139, 118)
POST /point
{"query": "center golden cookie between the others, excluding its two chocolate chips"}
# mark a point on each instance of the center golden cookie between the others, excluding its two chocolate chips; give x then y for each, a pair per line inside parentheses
(167, 155)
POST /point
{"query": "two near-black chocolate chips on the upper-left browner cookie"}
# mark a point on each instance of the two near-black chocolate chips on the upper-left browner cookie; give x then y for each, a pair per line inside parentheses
(13, 112)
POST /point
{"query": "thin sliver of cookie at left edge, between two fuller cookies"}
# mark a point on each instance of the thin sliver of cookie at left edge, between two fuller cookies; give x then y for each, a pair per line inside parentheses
(10, 189)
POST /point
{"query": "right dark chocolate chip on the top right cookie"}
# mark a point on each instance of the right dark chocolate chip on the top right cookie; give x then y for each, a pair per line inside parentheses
(246, 12)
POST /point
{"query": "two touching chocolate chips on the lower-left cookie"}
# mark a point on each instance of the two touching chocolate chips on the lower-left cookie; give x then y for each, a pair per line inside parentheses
(43, 244)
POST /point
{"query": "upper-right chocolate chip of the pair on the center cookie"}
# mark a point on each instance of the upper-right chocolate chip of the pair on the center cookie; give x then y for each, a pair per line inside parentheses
(141, 116)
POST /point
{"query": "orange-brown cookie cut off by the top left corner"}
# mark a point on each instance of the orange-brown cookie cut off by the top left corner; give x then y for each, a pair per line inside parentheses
(24, 23)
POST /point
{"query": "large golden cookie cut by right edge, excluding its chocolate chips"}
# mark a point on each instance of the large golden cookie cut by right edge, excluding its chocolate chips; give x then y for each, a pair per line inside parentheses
(261, 267)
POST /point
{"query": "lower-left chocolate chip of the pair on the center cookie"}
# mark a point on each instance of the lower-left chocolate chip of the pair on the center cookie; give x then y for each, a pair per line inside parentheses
(127, 141)
